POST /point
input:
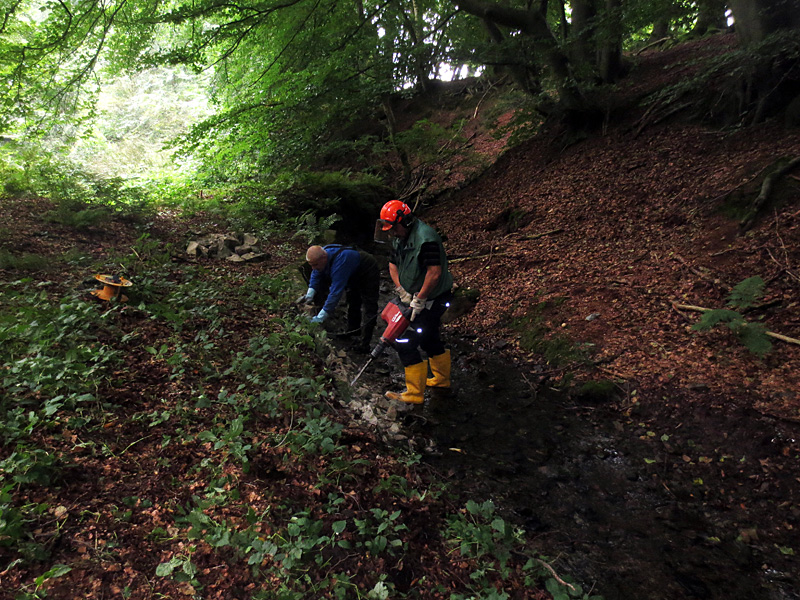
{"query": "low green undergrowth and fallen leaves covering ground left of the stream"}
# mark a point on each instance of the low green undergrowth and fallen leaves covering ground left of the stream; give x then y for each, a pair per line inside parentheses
(196, 435)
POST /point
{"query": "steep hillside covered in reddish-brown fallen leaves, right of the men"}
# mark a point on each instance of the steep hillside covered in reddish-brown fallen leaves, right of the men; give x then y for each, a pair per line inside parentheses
(598, 242)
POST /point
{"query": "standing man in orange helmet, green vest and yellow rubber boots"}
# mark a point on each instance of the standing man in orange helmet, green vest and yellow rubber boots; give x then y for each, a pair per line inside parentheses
(418, 268)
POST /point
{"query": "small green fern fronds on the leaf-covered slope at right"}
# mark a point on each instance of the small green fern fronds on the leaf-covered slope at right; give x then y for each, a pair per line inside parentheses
(751, 335)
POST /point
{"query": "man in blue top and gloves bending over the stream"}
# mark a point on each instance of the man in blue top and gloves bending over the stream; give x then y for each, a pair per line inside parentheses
(339, 269)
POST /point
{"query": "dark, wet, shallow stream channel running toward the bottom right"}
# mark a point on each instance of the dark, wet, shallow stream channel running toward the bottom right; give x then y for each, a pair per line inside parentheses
(581, 481)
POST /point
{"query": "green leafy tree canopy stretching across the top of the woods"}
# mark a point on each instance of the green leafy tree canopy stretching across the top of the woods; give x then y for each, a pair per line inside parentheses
(286, 77)
